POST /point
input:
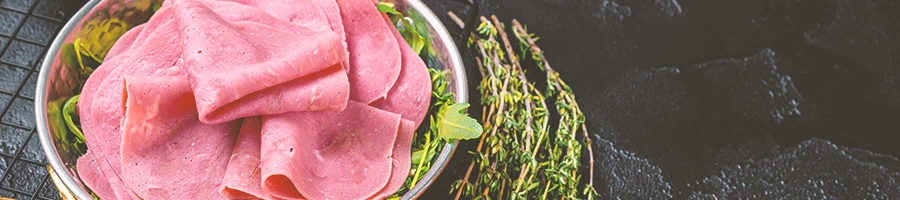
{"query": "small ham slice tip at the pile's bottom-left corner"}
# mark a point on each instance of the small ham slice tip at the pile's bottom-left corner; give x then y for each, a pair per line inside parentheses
(89, 172)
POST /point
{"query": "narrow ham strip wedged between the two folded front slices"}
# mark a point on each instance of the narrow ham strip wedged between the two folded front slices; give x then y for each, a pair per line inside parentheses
(242, 177)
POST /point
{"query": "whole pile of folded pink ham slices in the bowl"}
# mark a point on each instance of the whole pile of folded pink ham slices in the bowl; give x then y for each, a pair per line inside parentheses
(254, 99)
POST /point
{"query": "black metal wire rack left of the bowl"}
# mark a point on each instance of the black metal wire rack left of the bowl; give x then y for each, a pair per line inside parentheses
(26, 29)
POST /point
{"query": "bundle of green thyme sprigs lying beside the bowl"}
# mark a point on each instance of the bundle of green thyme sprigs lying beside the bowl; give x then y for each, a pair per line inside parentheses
(518, 157)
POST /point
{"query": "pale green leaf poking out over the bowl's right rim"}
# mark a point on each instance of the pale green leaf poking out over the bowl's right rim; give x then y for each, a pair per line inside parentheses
(455, 124)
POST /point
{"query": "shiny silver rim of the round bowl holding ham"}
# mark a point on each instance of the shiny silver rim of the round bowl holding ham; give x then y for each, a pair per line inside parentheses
(69, 181)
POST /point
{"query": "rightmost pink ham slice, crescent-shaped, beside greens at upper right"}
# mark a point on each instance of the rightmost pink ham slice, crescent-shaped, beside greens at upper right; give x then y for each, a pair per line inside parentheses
(411, 94)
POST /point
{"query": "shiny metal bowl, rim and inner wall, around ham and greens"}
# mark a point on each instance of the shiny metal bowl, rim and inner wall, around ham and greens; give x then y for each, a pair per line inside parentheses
(57, 81)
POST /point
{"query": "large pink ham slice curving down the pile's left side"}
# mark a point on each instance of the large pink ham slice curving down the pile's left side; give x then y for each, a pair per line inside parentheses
(102, 98)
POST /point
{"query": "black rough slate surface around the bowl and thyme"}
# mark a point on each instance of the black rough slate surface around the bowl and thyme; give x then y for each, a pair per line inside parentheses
(700, 99)
